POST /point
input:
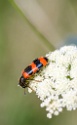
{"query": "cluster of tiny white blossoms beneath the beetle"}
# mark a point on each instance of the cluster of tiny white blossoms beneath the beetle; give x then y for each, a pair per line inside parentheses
(57, 86)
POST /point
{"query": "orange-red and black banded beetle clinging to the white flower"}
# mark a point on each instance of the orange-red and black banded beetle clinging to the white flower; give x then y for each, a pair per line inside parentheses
(30, 70)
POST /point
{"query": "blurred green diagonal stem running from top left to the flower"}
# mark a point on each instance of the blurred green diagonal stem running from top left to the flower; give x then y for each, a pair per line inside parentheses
(45, 40)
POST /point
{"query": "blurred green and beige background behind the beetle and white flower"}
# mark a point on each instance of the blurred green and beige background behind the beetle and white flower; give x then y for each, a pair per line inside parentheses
(29, 29)
